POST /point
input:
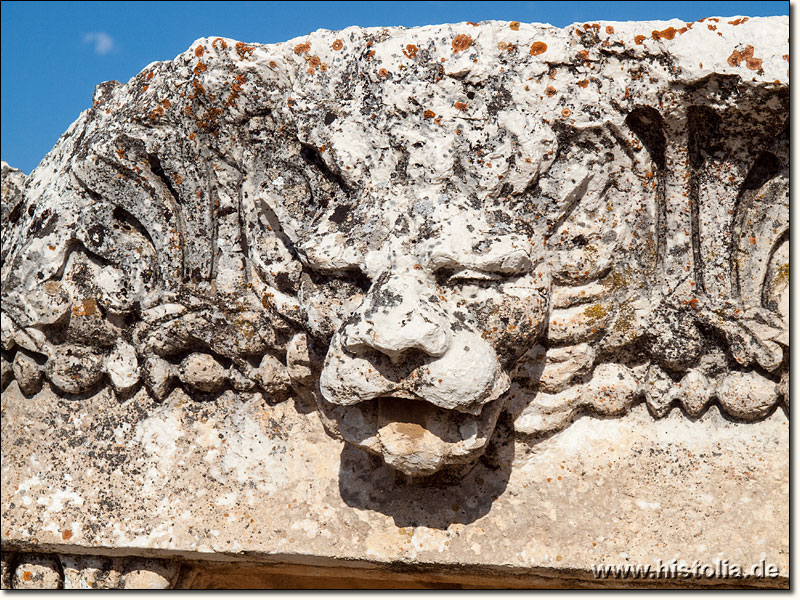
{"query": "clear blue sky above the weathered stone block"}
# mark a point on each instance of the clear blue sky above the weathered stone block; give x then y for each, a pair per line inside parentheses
(54, 53)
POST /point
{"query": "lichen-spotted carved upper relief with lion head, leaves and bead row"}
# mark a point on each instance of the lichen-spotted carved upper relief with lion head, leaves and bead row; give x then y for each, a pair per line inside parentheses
(419, 229)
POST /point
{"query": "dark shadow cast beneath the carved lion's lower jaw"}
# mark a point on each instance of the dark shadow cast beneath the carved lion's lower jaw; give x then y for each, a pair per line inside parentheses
(459, 494)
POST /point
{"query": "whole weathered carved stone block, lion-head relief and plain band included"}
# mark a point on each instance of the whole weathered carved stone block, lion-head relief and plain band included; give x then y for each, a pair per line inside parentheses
(446, 293)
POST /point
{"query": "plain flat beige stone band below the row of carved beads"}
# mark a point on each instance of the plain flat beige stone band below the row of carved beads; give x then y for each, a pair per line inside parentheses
(649, 489)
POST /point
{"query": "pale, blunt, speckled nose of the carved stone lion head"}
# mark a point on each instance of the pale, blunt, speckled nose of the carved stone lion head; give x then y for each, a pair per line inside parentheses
(400, 313)
